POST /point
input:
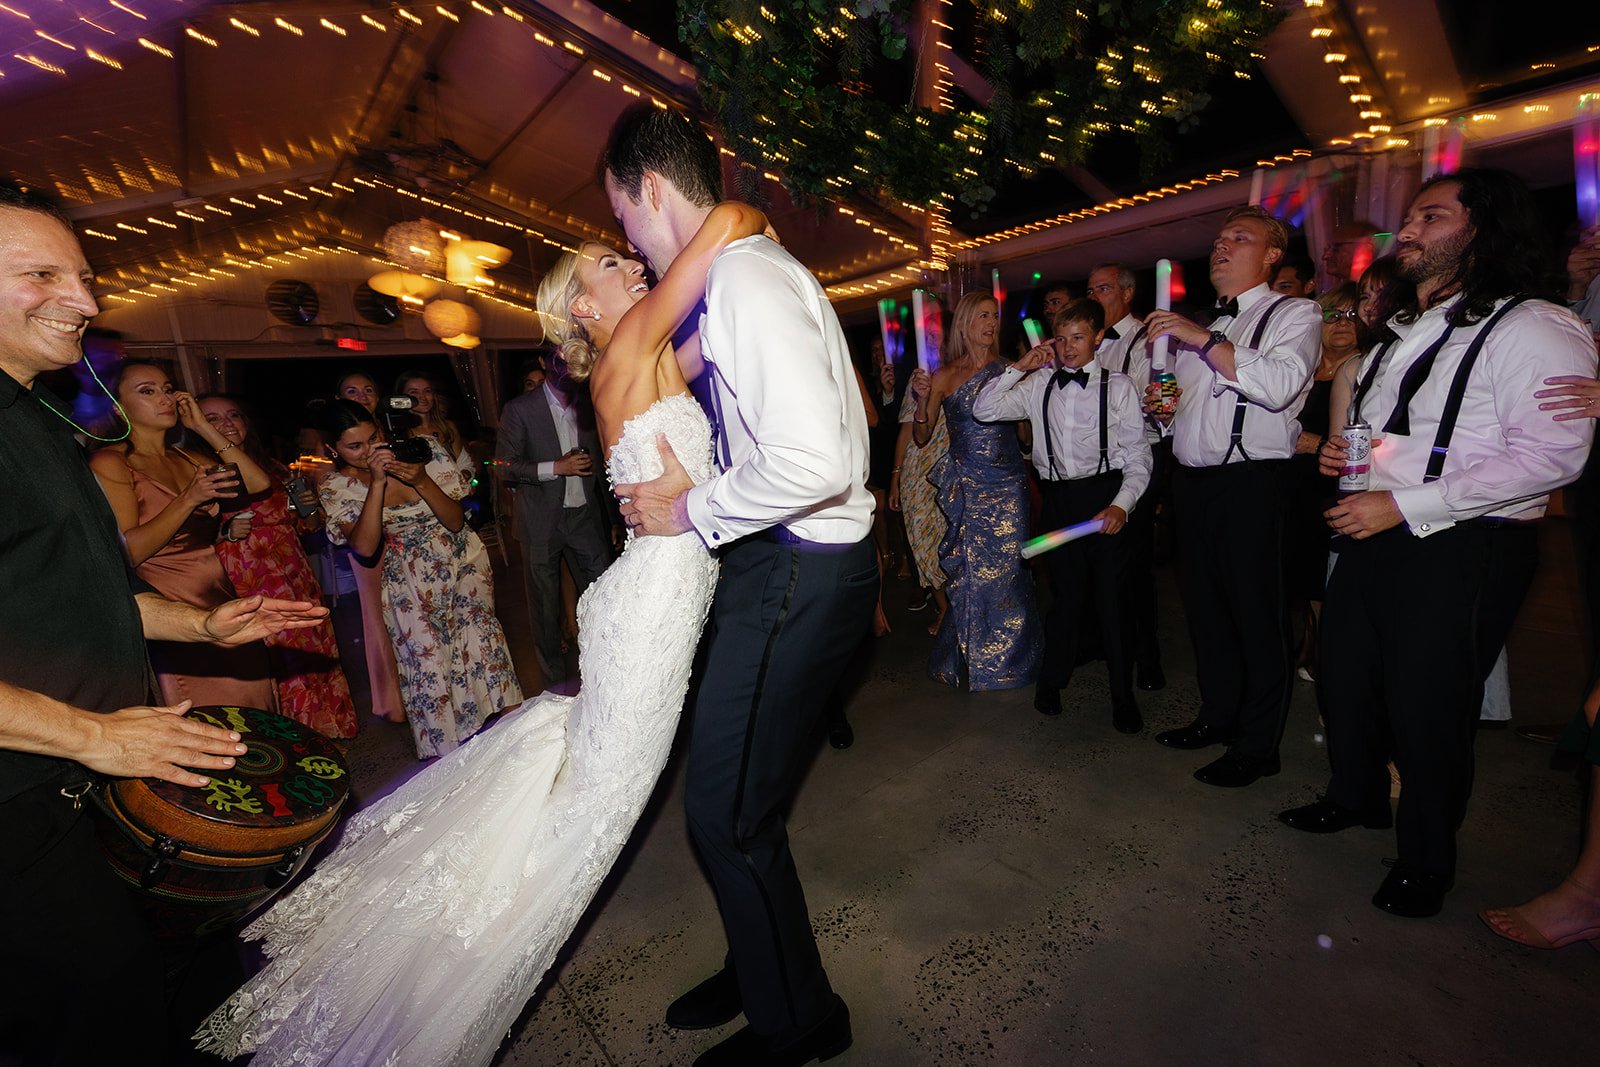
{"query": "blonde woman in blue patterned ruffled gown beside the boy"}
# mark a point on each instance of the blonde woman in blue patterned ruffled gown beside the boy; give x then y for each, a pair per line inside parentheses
(991, 639)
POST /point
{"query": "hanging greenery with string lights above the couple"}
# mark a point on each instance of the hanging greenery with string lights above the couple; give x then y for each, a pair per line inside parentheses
(825, 92)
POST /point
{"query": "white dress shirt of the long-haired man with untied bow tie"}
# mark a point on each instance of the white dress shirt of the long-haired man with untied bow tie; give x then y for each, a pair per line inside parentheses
(1506, 457)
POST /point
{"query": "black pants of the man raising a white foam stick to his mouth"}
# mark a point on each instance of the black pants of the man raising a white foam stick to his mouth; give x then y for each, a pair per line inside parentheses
(1231, 551)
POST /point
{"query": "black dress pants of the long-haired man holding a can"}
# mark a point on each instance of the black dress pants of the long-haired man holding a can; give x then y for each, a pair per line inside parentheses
(1412, 628)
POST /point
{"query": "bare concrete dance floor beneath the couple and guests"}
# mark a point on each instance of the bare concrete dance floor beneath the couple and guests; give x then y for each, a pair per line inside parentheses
(994, 887)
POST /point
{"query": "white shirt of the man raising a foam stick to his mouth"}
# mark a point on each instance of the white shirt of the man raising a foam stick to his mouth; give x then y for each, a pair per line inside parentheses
(1274, 378)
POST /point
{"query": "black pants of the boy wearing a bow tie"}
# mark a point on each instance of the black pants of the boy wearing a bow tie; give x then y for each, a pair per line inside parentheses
(1087, 577)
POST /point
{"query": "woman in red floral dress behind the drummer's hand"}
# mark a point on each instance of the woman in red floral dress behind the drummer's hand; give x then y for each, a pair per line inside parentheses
(262, 554)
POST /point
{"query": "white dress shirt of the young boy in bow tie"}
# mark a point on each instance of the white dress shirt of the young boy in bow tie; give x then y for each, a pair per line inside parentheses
(1074, 425)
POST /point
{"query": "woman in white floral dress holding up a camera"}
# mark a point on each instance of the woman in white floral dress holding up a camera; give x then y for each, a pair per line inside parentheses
(438, 591)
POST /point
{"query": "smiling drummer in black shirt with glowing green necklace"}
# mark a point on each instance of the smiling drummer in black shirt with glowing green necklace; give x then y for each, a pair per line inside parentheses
(84, 985)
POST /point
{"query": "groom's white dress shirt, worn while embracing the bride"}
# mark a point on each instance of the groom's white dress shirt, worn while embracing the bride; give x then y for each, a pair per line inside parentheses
(786, 394)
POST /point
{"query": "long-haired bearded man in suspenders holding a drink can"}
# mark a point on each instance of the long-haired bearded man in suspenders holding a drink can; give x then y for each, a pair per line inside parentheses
(1439, 553)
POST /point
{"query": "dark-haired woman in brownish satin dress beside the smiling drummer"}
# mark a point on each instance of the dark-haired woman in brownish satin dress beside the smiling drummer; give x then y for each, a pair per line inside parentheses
(167, 502)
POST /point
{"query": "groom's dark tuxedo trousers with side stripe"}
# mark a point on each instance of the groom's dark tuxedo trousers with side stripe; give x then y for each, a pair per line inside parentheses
(785, 623)
